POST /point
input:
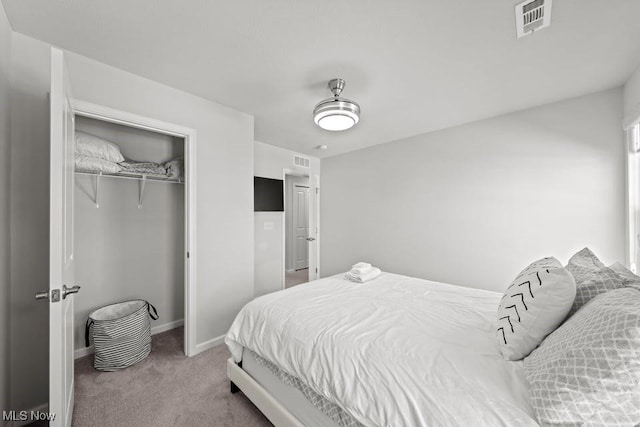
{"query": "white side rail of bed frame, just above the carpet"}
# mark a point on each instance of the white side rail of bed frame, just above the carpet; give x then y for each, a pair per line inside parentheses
(260, 397)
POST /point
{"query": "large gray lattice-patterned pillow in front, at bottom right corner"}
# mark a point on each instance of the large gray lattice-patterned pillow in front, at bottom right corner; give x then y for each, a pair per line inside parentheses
(587, 372)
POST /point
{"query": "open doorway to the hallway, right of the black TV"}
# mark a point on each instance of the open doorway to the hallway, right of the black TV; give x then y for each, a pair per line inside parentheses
(297, 230)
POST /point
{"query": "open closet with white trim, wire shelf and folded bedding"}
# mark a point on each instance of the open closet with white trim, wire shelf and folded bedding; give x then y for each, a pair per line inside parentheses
(134, 222)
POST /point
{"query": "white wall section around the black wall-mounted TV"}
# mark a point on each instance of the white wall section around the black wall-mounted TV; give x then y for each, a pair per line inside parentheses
(270, 162)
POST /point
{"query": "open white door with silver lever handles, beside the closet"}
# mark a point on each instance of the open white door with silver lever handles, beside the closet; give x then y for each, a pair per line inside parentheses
(61, 266)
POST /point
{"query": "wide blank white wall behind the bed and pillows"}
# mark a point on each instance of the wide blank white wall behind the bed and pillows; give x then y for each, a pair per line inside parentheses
(474, 204)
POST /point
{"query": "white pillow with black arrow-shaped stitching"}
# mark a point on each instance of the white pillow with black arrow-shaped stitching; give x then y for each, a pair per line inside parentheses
(535, 303)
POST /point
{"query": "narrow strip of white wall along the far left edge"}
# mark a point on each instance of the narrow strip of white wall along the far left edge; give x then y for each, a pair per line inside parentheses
(5, 61)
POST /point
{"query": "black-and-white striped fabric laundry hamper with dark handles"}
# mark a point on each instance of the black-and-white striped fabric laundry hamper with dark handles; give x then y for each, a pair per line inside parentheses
(121, 334)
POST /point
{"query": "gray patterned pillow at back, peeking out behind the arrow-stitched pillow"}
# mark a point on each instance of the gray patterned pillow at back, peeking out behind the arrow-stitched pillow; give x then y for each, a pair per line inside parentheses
(592, 278)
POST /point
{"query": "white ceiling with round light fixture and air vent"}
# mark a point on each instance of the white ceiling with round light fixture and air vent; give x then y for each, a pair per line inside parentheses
(413, 66)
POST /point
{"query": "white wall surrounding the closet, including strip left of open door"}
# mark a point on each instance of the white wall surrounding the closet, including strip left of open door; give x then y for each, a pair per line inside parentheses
(223, 253)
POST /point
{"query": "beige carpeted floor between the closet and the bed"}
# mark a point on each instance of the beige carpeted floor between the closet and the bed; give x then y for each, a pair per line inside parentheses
(165, 389)
